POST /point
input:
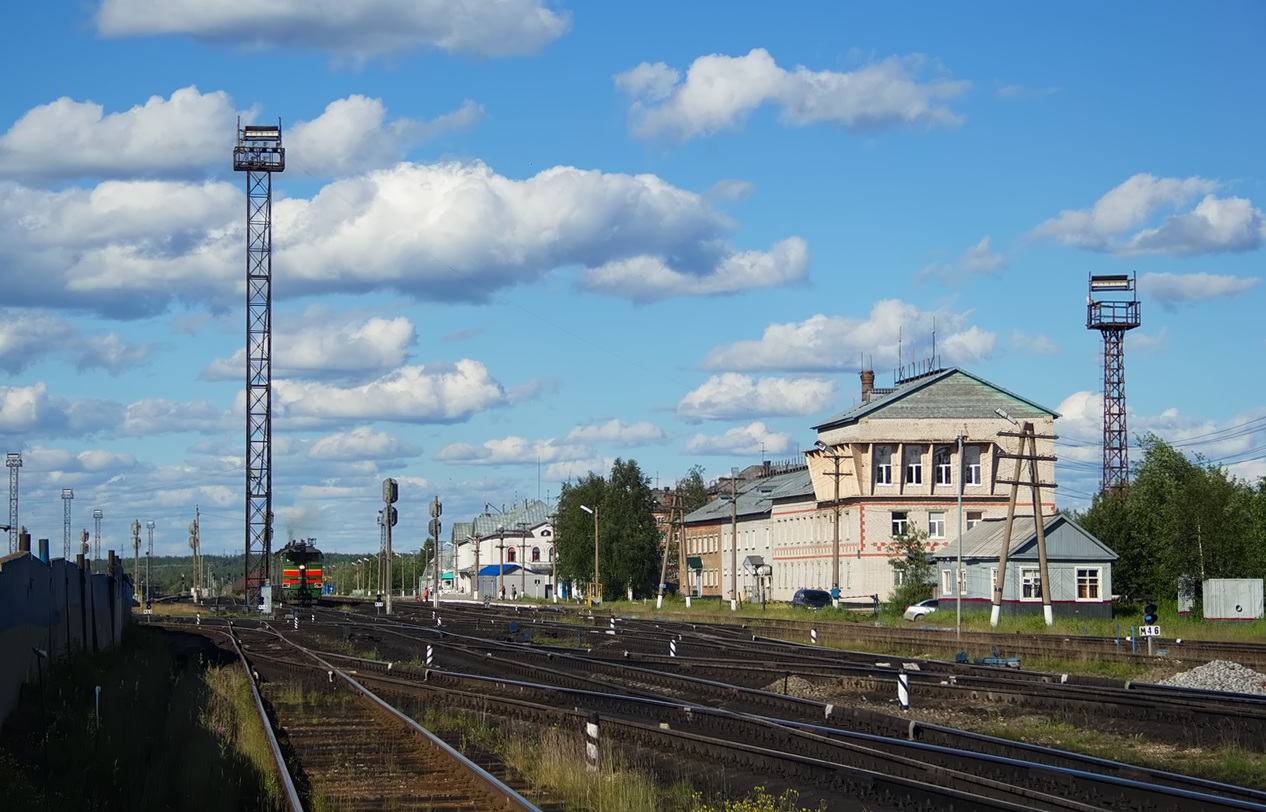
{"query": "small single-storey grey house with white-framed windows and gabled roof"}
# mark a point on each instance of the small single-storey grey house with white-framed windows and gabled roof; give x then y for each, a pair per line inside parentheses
(1079, 568)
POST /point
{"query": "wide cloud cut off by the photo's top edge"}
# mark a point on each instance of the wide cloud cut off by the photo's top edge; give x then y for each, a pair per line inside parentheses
(359, 29)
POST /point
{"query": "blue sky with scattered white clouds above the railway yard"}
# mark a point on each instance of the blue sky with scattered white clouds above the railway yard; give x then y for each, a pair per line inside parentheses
(518, 240)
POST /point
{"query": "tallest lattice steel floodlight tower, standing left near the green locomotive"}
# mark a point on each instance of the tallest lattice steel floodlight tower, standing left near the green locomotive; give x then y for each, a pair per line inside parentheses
(259, 154)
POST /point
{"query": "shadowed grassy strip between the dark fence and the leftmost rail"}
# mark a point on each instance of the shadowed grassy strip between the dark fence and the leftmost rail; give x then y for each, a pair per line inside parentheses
(174, 732)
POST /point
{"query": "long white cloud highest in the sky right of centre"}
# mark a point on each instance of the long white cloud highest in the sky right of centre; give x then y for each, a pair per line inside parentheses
(721, 92)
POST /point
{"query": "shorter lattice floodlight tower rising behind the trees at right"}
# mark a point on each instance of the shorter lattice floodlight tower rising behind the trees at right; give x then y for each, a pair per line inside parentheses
(1113, 317)
